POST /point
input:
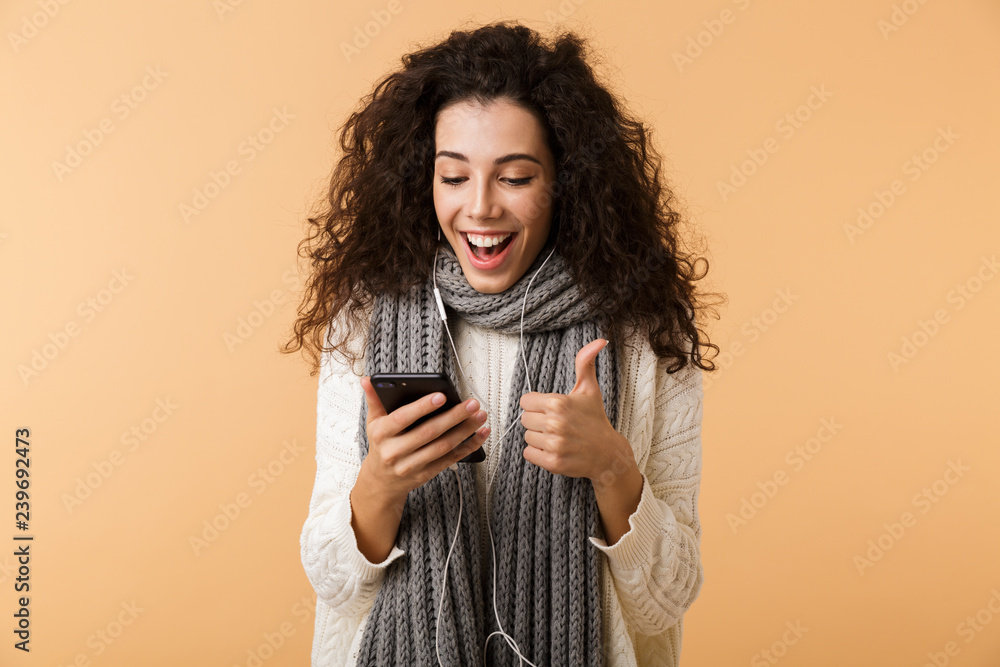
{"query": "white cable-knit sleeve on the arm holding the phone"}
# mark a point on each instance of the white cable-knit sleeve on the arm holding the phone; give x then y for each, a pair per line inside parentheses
(340, 574)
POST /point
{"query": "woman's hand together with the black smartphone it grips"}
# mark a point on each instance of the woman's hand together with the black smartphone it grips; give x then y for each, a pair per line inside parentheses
(411, 439)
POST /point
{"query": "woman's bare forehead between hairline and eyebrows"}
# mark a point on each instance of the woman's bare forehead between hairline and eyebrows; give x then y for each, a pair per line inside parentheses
(463, 126)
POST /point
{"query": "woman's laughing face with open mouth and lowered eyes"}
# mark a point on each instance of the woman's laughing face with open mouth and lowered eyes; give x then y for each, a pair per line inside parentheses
(493, 176)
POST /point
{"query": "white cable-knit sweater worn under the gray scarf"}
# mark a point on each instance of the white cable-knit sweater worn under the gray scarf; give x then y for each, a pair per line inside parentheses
(650, 576)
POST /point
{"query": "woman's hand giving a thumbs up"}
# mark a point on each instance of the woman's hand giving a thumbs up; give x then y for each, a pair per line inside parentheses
(570, 434)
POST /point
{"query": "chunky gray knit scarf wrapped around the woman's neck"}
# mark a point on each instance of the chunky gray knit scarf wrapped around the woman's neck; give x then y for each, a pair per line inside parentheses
(548, 596)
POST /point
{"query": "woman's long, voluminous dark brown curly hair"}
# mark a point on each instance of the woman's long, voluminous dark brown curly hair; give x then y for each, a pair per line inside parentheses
(611, 215)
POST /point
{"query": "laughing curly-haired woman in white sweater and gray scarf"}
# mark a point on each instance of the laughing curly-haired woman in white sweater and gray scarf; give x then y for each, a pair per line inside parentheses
(489, 163)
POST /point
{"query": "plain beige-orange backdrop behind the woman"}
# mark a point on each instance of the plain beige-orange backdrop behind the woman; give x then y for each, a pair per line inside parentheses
(156, 297)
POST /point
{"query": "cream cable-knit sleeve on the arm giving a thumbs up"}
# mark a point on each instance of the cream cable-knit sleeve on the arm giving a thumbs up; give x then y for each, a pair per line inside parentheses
(656, 565)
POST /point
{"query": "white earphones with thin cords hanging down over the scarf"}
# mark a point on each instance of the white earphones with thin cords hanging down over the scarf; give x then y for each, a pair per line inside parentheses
(489, 486)
